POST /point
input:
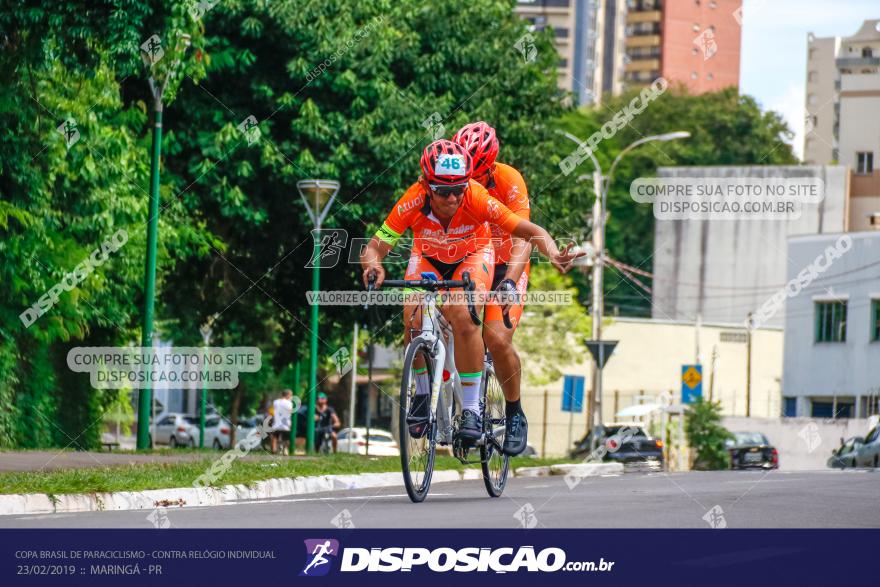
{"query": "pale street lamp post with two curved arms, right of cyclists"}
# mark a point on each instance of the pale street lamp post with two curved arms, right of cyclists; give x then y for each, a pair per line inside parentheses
(601, 189)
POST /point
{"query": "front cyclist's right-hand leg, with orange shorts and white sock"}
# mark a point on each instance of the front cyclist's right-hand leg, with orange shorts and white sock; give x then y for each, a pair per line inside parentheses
(468, 340)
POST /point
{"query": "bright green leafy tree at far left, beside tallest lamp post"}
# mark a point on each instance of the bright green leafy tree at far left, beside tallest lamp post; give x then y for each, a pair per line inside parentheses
(73, 171)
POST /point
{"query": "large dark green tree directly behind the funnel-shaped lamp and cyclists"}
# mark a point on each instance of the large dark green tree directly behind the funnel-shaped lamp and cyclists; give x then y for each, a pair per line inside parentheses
(349, 91)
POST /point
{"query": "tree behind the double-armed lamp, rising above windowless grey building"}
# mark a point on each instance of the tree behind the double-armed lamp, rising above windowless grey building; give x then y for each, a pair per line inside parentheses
(726, 128)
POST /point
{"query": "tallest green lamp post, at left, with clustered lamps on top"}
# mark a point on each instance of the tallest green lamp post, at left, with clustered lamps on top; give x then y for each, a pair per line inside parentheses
(157, 89)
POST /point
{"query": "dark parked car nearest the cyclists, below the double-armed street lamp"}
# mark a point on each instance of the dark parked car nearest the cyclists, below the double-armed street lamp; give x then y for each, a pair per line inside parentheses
(623, 443)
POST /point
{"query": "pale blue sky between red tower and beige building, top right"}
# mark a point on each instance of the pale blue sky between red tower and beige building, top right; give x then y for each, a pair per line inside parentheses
(774, 48)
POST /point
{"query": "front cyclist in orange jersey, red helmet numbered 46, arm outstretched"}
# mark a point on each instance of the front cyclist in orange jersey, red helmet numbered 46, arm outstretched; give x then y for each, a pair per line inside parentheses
(448, 214)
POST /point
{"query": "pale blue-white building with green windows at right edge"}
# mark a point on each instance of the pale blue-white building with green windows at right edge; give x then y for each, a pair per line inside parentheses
(832, 327)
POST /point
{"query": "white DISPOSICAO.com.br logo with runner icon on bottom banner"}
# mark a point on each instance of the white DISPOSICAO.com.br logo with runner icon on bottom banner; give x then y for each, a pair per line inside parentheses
(441, 560)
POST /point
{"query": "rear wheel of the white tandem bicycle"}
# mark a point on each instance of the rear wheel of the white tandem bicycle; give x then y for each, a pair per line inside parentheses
(495, 464)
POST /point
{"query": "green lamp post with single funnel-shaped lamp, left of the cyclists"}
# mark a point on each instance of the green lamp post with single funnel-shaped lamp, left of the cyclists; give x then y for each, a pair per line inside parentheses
(318, 196)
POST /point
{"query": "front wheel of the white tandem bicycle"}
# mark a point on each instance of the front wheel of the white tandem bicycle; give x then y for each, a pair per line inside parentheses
(416, 454)
